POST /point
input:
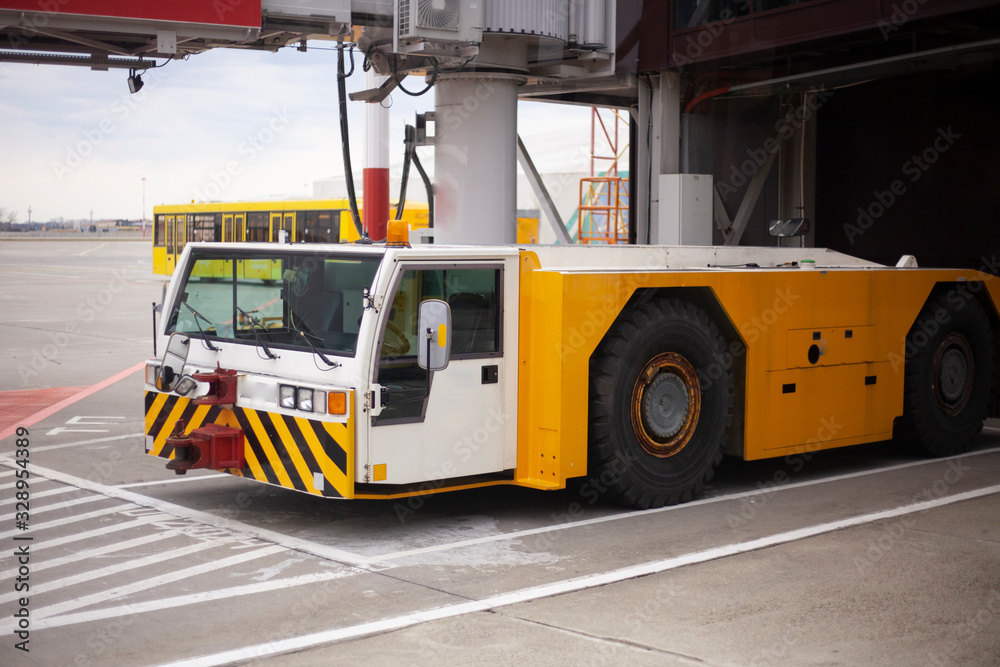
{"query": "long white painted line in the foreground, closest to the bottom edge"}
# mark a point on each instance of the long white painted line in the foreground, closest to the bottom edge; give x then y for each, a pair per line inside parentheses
(561, 587)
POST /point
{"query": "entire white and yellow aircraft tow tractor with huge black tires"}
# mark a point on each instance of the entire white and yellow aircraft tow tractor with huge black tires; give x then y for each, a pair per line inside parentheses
(375, 371)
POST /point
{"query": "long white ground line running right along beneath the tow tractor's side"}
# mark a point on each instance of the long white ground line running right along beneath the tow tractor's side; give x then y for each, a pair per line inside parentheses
(376, 560)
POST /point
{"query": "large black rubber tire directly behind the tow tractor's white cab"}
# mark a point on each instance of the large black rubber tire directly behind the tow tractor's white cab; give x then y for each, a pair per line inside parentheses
(620, 468)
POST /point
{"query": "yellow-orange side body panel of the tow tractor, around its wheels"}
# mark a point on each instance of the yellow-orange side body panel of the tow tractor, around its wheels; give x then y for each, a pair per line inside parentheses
(850, 395)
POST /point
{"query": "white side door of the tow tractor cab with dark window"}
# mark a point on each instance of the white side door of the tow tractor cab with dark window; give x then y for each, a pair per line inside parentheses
(452, 423)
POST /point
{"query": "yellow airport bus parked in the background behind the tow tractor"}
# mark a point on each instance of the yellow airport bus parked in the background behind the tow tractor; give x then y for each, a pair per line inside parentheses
(309, 220)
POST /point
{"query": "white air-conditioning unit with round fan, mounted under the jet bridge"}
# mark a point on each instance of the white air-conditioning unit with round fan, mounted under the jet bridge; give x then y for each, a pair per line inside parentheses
(428, 26)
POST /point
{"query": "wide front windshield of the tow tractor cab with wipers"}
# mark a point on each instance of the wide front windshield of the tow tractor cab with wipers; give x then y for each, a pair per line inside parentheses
(279, 298)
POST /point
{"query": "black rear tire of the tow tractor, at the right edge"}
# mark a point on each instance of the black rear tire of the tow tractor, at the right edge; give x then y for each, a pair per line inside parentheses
(935, 422)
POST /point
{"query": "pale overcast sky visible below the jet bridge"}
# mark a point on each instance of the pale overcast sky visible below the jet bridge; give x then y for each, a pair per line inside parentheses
(73, 140)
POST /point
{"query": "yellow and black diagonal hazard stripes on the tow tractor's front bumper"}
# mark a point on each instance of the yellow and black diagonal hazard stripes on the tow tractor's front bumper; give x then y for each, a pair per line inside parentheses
(281, 450)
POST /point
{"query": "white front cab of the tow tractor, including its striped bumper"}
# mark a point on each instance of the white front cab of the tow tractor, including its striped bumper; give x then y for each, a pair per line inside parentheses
(339, 370)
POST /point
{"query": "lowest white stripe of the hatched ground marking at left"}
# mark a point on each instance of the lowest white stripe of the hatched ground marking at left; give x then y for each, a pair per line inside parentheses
(193, 598)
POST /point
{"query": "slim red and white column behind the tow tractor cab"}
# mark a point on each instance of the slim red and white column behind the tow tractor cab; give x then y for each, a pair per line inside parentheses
(376, 165)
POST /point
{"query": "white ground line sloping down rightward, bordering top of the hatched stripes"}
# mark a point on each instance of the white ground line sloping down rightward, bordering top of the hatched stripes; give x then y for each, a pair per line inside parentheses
(298, 544)
